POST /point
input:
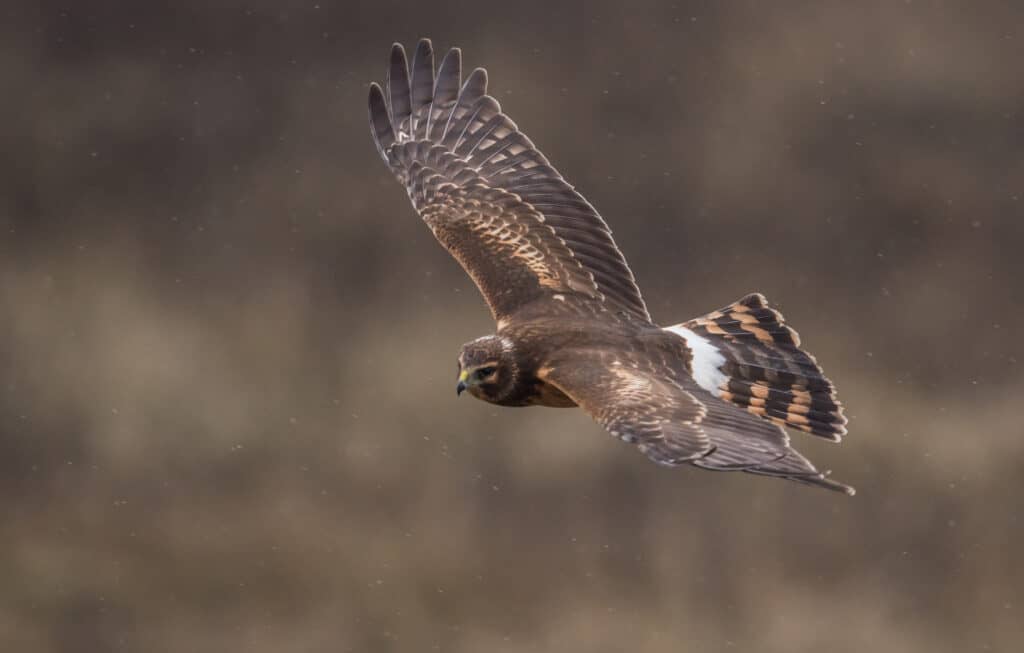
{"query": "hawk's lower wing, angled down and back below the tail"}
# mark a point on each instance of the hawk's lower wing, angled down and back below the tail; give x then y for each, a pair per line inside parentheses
(674, 421)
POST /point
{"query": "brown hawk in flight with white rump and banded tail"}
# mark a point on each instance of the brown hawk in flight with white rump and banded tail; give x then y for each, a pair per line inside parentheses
(716, 393)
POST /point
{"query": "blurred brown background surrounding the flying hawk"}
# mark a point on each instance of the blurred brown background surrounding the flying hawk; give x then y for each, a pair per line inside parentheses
(227, 413)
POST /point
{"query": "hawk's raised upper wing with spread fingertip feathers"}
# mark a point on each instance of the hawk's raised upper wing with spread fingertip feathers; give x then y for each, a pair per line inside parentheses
(491, 198)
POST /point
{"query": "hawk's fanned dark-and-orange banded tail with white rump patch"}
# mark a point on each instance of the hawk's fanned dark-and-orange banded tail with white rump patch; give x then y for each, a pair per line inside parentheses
(747, 355)
